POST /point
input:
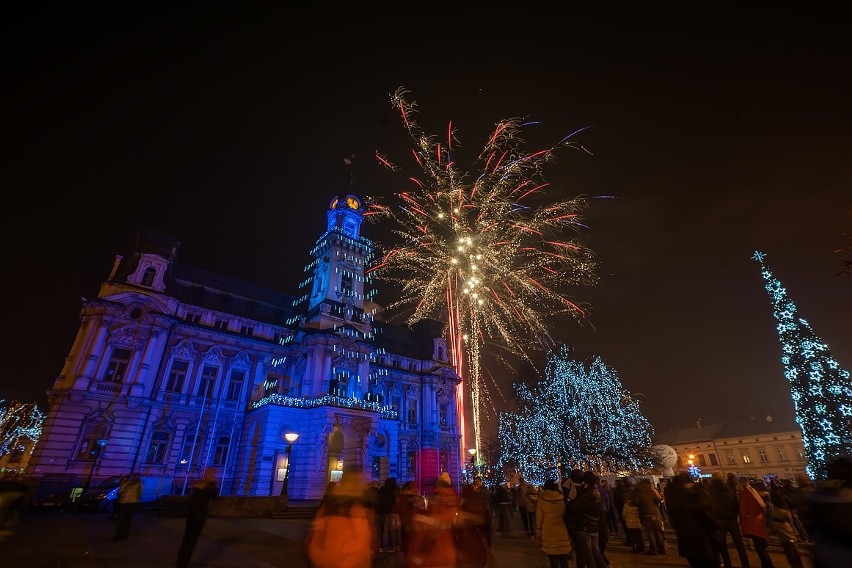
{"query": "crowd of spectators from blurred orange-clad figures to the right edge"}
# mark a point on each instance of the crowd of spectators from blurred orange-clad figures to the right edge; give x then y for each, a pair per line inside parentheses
(571, 520)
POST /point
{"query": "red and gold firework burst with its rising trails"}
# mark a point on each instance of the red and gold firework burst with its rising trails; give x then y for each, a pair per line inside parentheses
(486, 250)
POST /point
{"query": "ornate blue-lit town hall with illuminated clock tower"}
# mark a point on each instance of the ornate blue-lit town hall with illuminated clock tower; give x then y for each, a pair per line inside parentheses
(176, 369)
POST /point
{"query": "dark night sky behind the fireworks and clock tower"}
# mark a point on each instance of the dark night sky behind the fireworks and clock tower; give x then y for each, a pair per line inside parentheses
(716, 133)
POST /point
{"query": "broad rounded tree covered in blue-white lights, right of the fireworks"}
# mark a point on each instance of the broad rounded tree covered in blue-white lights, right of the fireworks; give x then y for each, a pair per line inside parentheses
(579, 416)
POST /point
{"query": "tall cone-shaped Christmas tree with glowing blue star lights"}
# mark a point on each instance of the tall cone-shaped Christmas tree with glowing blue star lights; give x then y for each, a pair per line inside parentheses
(821, 390)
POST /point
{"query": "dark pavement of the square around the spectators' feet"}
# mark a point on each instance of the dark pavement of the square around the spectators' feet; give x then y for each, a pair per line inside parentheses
(48, 539)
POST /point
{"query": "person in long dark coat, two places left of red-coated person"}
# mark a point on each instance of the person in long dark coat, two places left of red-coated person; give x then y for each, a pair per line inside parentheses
(691, 512)
